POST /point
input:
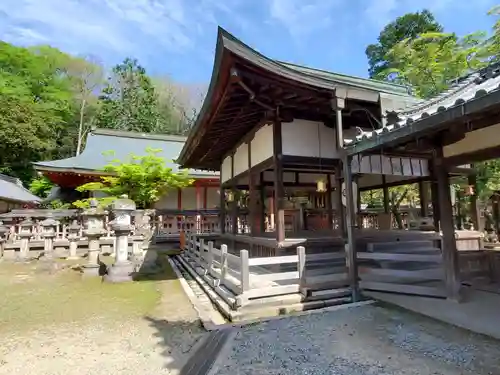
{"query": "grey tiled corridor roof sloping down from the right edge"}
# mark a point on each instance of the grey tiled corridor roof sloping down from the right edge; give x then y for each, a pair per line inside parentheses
(474, 86)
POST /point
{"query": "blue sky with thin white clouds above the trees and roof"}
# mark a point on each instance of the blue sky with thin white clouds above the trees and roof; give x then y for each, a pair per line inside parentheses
(176, 38)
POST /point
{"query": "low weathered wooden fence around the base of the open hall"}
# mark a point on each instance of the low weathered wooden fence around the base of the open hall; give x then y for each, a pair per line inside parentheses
(241, 279)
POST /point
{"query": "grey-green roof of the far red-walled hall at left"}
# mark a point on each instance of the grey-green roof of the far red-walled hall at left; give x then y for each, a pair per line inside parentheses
(122, 143)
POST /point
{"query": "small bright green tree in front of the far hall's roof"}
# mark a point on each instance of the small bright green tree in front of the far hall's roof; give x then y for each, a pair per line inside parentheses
(145, 179)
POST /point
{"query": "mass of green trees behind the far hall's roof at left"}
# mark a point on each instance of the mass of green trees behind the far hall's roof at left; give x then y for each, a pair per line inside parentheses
(50, 99)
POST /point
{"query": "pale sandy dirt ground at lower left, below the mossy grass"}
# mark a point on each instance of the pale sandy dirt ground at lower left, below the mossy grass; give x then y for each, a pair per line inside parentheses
(129, 343)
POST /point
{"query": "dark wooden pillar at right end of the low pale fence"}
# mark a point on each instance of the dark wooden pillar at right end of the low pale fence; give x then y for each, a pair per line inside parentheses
(350, 247)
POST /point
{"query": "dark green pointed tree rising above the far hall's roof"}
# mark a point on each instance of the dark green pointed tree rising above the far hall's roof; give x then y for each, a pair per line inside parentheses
(129, 101)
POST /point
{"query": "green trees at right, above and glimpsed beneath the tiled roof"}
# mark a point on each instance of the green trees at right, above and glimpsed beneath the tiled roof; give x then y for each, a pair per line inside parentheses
(414, 50)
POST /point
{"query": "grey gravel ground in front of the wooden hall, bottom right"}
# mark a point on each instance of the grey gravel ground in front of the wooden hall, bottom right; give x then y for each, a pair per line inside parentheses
(366, 340)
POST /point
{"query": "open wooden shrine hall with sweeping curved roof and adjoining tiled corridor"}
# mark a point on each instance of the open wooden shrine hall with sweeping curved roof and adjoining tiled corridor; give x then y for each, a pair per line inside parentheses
(295, 145)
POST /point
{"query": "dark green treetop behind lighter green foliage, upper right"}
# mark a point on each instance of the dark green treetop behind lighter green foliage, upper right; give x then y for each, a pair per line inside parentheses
(408, 26)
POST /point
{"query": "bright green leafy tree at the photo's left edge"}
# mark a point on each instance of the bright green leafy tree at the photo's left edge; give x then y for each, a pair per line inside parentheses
(36, 108)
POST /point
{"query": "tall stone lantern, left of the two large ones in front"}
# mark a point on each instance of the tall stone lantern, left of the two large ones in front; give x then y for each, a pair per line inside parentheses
(94, 229)
